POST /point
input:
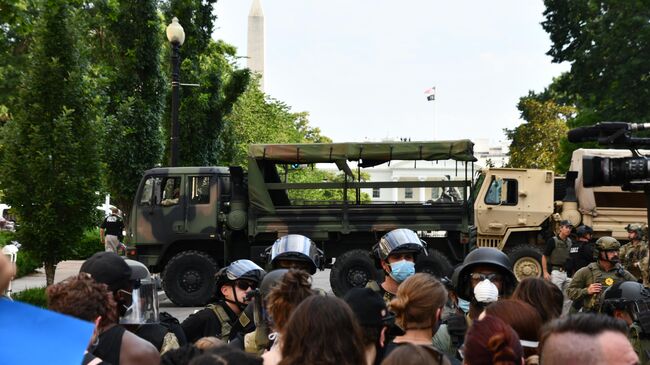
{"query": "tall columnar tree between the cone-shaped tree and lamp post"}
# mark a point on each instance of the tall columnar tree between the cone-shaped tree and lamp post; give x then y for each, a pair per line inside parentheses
(133, 142)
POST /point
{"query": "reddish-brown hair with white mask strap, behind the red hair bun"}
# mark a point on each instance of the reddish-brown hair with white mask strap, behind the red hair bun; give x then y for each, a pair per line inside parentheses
(524, 319)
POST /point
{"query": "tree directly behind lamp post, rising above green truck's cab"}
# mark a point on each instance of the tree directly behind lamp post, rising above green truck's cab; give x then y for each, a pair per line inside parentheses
(212, 65)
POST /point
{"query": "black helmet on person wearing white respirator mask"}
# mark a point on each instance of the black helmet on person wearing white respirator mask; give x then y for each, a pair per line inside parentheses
(485, 256)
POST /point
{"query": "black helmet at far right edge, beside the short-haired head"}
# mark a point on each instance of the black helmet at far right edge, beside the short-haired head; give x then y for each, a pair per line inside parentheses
(626, 295)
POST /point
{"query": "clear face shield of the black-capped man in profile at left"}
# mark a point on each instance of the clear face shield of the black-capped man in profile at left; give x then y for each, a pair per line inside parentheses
(143, 308)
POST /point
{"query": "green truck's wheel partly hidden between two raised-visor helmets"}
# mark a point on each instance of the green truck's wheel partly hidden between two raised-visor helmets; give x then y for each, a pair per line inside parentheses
(353, 269)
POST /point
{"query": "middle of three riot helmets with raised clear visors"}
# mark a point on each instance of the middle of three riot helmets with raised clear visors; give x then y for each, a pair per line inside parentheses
(298, 248)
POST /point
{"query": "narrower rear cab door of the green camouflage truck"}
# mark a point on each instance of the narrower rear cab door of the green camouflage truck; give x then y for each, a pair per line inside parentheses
(202, 209)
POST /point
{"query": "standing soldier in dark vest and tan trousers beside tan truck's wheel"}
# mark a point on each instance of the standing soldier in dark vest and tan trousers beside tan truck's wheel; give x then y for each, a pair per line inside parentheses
(556, 256)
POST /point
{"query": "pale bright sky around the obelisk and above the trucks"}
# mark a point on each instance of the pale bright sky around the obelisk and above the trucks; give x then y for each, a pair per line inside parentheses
(361, 67)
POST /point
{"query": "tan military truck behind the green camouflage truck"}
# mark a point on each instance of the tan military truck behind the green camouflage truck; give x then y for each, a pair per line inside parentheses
(517, 210)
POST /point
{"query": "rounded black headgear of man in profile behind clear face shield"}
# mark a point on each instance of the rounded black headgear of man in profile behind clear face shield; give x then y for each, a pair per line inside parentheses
(108, 268)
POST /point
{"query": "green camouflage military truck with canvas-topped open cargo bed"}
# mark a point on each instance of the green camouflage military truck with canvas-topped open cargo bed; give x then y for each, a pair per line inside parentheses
(188, 221)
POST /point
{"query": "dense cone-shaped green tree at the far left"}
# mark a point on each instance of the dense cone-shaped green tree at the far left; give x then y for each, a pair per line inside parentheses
(50, 166)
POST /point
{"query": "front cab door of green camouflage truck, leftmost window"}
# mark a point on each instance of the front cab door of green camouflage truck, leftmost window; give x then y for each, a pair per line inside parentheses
(160, 212)
